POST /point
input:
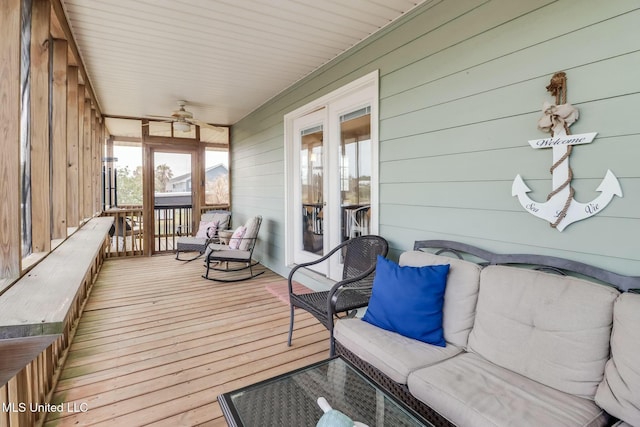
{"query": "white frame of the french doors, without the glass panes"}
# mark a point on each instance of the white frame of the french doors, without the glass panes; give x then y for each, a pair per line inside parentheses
(361, 91)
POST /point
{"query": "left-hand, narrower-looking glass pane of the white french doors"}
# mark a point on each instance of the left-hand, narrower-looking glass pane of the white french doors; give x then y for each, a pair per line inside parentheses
(311, 180)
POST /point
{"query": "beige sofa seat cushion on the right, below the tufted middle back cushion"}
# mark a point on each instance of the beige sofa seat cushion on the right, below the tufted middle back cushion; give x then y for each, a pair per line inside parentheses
(471, 391)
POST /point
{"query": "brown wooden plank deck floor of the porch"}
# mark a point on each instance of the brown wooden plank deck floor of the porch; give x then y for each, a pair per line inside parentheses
(157, 344)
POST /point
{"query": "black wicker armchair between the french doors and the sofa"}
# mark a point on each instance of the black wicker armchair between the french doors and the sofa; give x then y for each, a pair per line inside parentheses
(352, 292)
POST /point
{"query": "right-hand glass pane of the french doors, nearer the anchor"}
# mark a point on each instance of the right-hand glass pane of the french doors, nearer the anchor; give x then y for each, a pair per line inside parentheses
(355, 172)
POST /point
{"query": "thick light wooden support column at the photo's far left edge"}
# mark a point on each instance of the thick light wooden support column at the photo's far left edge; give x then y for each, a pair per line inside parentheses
(10, 255)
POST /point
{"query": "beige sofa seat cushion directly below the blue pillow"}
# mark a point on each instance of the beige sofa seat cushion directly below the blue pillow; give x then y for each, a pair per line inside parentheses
(391, 353)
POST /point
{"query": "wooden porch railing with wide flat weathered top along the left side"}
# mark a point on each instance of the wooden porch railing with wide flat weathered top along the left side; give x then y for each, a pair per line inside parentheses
(38, 315)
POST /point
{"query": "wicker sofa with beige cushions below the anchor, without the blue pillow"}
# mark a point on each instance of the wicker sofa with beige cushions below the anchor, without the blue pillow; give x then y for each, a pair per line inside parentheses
(523, 347)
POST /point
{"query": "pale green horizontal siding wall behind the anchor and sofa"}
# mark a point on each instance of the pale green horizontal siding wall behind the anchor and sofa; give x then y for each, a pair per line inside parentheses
(461, 89)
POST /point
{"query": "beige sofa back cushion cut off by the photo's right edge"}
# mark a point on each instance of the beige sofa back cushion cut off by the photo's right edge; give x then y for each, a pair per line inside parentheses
(619, 393)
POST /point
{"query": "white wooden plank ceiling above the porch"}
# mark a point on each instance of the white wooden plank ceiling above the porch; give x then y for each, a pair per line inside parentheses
(226, 58)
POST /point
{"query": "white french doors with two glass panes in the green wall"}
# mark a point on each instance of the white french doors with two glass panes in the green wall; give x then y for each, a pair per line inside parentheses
(332, 174)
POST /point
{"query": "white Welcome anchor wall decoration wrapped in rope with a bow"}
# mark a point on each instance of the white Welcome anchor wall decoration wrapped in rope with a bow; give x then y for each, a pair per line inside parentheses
(561, 209)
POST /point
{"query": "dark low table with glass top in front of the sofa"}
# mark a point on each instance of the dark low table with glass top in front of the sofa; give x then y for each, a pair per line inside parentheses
(291, 399)
